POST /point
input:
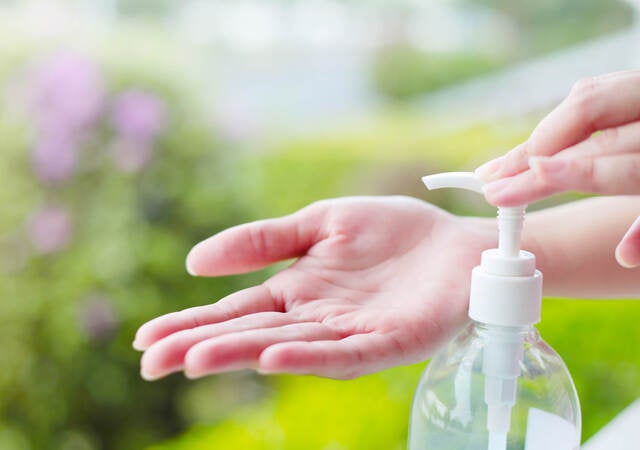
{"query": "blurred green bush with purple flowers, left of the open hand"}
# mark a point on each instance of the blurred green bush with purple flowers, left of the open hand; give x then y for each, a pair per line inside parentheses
(92, 249)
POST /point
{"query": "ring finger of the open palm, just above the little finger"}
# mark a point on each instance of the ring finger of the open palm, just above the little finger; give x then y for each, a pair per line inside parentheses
(242, 350)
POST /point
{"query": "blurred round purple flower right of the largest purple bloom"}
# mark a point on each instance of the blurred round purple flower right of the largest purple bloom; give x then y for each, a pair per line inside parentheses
(138, 116)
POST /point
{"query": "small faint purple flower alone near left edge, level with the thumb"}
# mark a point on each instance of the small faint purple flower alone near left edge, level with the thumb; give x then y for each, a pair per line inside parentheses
(50, 229)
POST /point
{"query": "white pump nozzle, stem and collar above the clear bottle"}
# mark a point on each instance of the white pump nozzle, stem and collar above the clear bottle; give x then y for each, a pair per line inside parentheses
(506, 289)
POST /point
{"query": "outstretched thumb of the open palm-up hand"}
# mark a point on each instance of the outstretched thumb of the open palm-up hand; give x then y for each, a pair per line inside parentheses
(254, 245)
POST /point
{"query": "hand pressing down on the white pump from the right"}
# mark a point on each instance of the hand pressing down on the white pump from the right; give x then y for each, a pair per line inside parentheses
(564, 154)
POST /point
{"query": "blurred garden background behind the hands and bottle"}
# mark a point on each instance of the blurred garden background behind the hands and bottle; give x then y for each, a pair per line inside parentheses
(131, 129)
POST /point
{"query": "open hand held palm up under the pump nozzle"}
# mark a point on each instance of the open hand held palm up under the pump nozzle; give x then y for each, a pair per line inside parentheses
(378, 282)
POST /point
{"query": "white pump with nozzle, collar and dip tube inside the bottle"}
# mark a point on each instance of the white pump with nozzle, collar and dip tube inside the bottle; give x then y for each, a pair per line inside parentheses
(506, 291)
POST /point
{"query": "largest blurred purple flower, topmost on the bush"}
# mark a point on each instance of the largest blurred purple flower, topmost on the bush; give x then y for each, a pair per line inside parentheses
(66, 91)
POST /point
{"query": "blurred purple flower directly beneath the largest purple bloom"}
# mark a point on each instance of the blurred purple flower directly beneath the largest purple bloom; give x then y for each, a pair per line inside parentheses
(54, 158)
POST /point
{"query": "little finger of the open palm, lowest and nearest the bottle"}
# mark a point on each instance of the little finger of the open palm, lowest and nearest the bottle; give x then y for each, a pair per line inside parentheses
(342, 359)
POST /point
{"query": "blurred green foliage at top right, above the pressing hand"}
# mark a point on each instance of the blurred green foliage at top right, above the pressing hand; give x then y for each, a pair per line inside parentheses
(402, 71)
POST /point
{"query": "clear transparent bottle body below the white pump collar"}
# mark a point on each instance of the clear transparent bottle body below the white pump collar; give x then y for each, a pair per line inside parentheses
(450, 411)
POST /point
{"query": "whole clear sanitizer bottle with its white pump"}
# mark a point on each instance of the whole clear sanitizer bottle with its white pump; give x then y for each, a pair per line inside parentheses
(497, 385)
